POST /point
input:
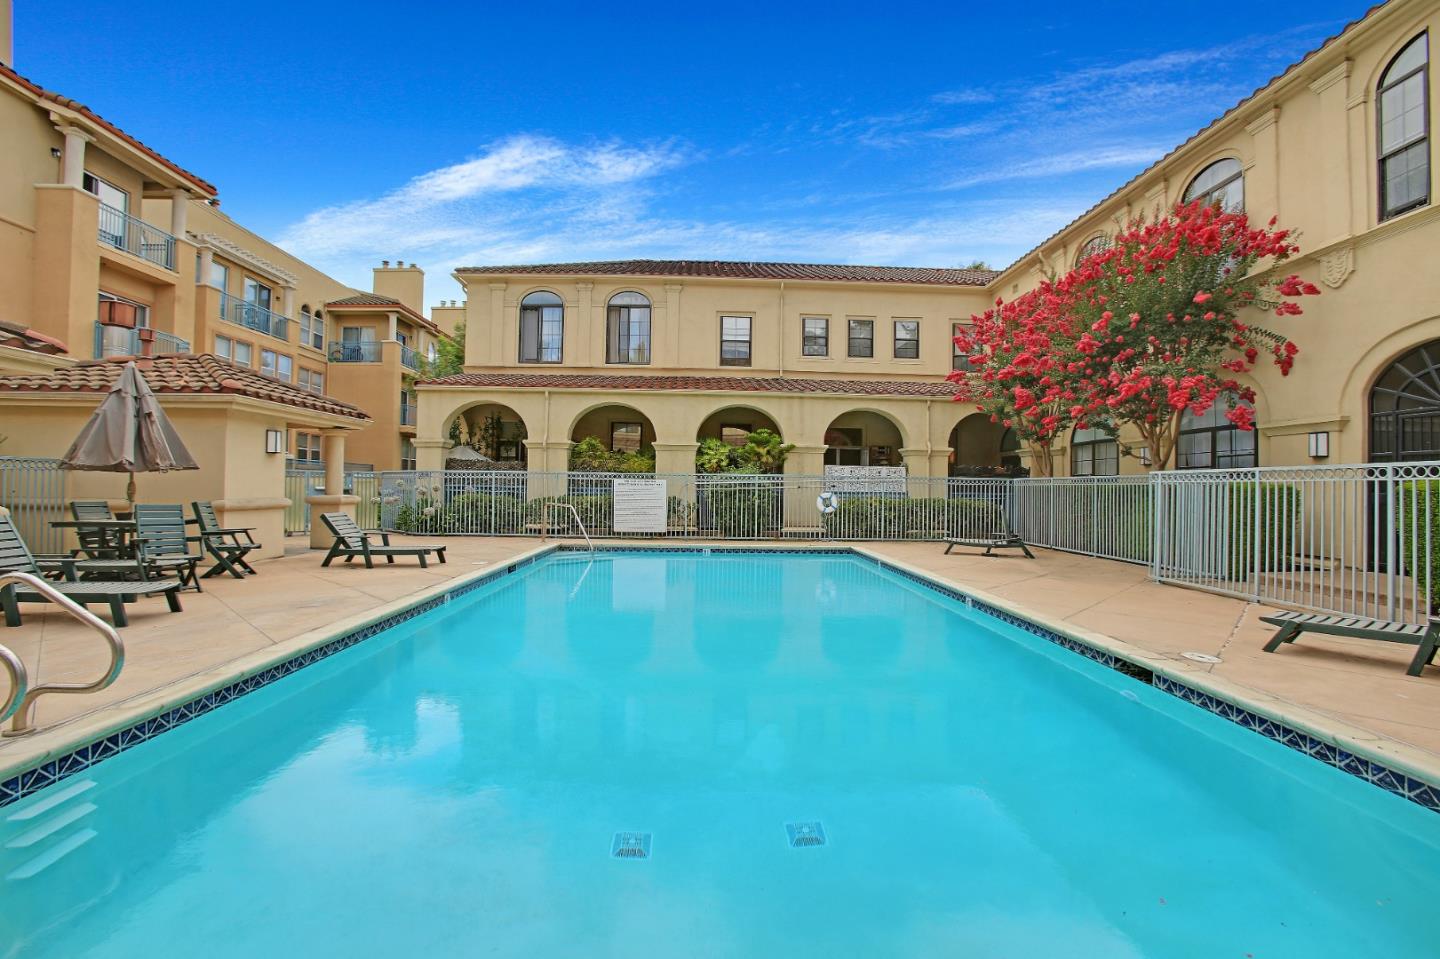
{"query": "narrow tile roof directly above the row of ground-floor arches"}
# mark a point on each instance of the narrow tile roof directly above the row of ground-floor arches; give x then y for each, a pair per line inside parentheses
(702, 384)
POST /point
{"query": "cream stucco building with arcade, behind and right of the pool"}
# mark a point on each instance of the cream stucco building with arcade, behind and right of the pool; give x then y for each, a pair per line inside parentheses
(847, 362)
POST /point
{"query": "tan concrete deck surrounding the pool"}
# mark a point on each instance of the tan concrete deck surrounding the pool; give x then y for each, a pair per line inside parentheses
(1354, 689)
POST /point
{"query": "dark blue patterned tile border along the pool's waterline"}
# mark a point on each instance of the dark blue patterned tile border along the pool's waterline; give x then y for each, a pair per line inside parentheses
(84, 757)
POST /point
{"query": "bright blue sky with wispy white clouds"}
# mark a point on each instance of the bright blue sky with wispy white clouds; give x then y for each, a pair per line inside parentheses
(453, 135)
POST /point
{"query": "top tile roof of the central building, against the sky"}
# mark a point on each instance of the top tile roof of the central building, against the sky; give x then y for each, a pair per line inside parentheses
(737, 270)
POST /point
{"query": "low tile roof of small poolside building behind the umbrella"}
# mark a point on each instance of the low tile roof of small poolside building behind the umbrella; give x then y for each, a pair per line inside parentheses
(179, 375)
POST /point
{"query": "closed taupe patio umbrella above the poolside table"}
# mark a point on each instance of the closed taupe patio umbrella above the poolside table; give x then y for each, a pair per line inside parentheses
(129, 433)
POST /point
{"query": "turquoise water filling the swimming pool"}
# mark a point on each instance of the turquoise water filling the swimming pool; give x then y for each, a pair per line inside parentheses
(454, 788)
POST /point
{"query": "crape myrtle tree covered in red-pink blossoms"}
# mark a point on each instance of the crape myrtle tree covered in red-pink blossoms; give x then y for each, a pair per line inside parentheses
(1138, 333)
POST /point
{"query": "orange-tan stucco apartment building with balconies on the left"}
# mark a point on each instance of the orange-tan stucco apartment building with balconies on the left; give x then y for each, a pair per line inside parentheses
(110, 250)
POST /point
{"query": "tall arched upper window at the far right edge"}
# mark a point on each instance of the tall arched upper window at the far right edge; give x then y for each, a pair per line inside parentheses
(1403, 112)
